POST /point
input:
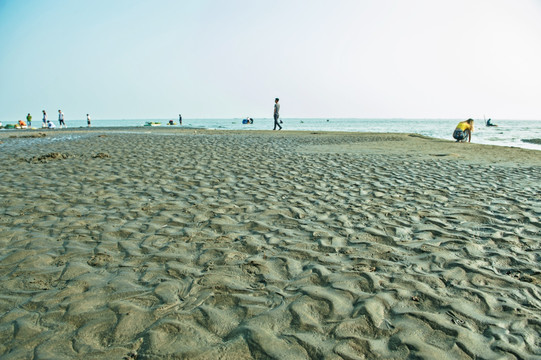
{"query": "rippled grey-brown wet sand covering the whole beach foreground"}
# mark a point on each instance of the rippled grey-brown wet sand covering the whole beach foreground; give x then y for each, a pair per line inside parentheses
(170, 244)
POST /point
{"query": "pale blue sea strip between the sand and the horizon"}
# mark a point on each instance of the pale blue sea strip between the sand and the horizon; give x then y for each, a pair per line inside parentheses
(515, 133)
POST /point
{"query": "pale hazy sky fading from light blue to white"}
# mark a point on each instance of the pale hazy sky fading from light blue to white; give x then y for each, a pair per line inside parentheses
(133, 59)
